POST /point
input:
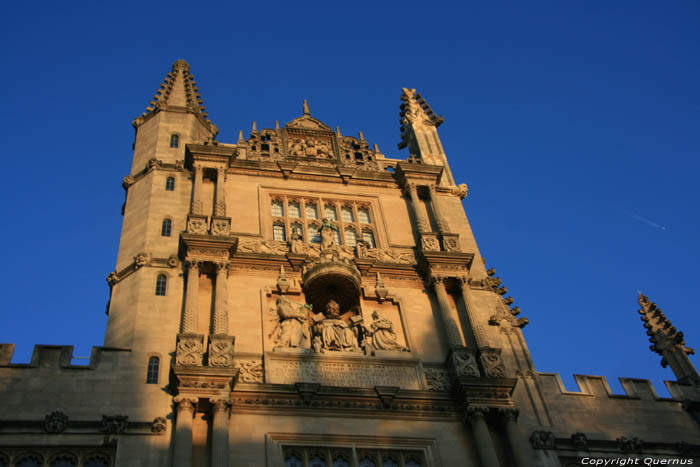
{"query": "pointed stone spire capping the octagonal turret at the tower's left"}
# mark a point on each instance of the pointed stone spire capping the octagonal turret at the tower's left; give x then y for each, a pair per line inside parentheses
(178, 92)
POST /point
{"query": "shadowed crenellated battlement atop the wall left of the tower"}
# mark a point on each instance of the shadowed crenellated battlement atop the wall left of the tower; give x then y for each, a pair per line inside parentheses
(58, 357)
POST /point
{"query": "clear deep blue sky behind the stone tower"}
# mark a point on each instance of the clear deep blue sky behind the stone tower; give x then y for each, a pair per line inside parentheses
(575, 125)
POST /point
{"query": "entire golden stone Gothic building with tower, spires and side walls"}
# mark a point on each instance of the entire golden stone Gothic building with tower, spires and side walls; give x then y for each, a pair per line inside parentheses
(300, 299)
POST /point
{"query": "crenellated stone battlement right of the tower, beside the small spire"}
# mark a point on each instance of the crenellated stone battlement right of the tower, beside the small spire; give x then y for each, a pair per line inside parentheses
(597, 386)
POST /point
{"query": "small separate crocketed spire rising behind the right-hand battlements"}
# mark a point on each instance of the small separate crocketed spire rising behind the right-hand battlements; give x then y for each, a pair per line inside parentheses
(667, 342)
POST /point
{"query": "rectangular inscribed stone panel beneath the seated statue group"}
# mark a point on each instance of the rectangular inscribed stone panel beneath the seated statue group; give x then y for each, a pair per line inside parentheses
(346, 372)
